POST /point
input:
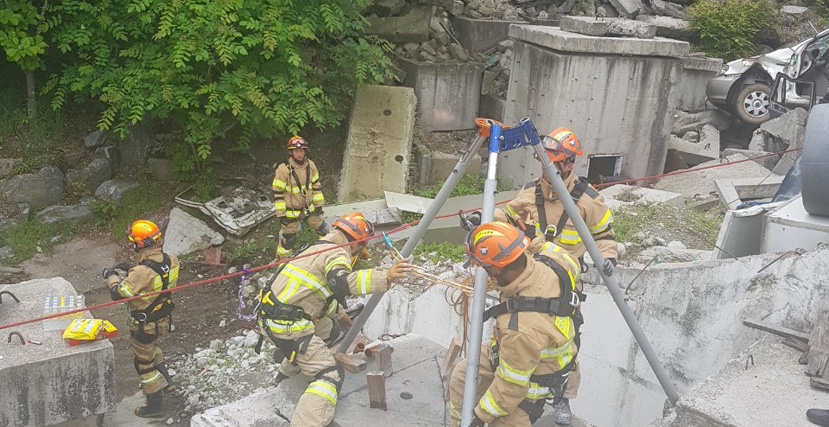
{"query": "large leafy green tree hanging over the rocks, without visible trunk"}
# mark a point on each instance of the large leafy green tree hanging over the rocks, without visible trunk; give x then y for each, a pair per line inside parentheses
(211, 66)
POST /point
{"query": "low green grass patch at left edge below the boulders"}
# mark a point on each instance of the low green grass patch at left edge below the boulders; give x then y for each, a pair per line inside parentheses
(25, 236)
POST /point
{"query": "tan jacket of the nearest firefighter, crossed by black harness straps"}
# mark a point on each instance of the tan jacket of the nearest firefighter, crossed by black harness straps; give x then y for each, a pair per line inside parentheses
(532, 344)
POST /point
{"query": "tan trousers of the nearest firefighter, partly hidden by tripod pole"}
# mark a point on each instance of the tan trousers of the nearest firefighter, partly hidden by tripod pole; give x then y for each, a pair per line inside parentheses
(517, 418)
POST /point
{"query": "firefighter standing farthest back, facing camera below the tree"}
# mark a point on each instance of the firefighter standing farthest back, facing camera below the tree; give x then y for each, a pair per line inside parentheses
(297, 196)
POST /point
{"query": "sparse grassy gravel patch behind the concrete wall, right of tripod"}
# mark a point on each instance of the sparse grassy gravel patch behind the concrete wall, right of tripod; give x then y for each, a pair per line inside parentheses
(696, 229)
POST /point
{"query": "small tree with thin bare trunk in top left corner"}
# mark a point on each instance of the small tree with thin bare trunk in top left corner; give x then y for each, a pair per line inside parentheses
(20, 38)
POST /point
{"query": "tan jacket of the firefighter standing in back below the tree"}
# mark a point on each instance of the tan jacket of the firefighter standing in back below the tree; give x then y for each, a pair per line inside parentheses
(297, 189)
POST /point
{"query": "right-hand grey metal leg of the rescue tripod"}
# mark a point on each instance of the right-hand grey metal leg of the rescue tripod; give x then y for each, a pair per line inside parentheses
(610, 280)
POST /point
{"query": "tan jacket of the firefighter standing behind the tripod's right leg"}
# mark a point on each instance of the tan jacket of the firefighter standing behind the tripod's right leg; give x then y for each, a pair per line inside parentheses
(590, 204)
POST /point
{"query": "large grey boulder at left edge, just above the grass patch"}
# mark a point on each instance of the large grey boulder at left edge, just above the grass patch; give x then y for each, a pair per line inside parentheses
(38, 190)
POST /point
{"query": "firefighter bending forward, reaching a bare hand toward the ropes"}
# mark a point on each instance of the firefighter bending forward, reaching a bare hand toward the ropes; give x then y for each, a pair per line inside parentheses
(304, 293)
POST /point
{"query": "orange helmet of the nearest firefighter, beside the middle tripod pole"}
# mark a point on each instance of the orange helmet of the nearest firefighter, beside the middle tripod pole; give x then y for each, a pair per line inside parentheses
(495, 243)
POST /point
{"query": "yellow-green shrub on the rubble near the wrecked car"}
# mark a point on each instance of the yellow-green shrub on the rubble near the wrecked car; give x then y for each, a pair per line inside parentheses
(727, 27)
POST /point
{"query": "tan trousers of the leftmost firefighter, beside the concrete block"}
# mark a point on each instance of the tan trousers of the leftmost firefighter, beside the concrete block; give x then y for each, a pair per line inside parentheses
(144, 342)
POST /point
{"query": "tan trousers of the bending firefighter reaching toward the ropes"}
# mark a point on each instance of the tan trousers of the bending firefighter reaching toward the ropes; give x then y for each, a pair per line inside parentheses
(316, 406)
